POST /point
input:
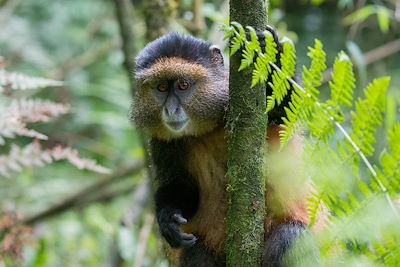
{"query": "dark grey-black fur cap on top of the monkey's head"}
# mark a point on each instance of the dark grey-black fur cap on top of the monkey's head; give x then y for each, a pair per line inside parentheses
(175, 45)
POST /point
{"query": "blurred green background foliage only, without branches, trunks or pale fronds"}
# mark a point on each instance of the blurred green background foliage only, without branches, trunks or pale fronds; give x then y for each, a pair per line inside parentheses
(78, 42)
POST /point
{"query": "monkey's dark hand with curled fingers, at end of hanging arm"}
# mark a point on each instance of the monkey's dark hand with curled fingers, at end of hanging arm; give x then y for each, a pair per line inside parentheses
(169, 221)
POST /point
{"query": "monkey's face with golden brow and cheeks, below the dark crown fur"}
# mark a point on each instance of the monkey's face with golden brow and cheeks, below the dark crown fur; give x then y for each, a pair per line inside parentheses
(177, 98)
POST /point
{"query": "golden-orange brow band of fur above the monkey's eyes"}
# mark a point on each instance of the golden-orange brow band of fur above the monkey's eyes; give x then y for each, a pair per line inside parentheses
(170, 68)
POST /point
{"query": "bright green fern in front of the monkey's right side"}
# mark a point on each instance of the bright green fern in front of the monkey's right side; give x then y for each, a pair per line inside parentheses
(361, 196)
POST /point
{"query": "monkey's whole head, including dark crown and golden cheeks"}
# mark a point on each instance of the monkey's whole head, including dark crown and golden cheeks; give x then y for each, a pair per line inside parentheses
(182, 87)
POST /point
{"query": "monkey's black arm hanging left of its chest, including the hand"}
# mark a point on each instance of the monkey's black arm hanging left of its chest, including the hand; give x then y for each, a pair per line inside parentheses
(176, 198)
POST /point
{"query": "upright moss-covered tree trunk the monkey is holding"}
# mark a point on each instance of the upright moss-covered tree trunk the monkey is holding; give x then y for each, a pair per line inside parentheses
(246, 130)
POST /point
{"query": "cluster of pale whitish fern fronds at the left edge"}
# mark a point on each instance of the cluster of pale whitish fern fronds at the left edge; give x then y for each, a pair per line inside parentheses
(17, 113)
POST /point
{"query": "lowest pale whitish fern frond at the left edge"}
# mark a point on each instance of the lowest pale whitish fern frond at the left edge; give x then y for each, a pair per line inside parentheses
(33, 155)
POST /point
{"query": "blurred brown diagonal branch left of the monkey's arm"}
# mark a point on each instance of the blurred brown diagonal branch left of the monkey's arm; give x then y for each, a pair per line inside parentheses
(75, 199)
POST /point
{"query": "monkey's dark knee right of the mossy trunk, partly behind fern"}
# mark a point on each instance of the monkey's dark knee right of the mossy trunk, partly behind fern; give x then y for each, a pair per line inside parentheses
(290, 244)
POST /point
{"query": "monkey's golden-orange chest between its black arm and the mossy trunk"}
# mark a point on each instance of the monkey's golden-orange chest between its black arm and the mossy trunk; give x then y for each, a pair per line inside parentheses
(208, 165)
